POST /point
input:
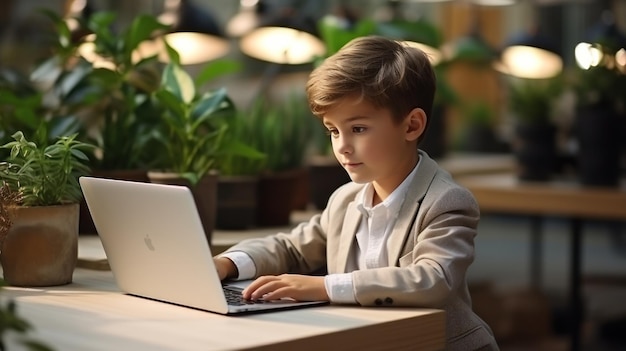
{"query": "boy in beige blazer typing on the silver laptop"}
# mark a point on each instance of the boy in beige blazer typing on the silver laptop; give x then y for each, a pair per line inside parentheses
(401, 233)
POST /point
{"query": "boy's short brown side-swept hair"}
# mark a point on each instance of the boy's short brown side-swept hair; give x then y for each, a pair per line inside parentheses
(384, 72)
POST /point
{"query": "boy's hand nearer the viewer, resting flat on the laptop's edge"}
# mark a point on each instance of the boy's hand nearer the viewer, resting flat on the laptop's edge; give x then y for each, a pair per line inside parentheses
(297, 287)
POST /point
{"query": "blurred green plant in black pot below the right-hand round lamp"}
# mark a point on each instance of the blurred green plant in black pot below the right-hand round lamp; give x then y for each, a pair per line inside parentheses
(534, 143)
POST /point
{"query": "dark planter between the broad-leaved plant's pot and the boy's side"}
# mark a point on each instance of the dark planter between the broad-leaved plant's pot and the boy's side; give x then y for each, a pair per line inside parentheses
(236, 202)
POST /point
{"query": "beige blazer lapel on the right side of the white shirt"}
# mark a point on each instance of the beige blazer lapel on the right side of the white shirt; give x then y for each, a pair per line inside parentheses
(408, 211)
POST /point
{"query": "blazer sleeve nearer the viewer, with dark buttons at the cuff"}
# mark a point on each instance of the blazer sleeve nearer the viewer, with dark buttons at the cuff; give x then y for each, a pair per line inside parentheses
(438, 251)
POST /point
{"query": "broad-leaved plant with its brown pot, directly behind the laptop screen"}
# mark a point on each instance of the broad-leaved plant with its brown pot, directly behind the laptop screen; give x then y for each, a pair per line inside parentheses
(192, 135)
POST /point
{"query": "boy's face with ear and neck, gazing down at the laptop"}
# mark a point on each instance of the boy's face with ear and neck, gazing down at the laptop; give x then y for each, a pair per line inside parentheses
(370, 145)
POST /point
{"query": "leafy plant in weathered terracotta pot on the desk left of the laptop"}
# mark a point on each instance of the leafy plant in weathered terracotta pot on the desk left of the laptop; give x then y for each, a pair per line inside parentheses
(41, 197)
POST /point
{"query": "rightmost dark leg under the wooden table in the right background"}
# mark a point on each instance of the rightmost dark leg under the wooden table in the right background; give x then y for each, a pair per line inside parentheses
(576, 303)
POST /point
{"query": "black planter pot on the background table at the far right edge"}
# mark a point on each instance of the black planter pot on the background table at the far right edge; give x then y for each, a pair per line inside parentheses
(598, 130)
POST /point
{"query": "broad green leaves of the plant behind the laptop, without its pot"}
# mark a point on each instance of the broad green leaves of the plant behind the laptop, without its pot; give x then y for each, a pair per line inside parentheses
(193, 135)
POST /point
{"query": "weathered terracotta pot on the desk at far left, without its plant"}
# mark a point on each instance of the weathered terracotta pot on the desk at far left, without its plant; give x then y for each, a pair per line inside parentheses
(41, 248)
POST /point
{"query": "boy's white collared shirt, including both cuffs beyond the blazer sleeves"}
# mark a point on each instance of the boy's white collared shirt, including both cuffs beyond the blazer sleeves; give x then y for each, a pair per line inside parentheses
(376, 224)
